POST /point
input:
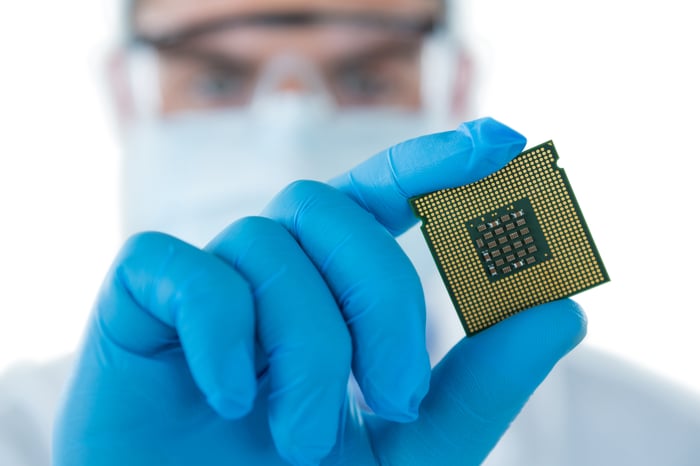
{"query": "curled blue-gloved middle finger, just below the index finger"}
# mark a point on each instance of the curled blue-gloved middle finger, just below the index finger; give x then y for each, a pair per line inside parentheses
(376, 287)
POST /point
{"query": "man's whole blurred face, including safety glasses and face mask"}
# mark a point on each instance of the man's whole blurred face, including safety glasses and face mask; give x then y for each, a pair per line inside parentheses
(224, 102)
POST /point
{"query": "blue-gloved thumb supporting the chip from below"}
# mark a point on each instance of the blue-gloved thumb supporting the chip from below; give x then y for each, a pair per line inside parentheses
(480, 386)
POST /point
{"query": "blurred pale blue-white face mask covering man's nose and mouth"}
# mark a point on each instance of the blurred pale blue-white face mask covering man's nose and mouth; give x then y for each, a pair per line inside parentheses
(192, 175)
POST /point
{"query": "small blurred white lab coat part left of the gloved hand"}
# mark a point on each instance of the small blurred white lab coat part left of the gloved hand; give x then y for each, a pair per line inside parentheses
(29, 395)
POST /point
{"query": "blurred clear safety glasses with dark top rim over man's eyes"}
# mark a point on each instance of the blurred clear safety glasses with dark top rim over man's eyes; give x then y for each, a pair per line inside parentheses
(358, 61)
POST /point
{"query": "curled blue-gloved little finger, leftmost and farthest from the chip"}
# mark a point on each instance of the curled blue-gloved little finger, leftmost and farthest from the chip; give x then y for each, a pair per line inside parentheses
(162, 293)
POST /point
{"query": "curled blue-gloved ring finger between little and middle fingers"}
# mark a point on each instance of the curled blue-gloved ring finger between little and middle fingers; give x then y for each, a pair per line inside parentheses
(301, 331)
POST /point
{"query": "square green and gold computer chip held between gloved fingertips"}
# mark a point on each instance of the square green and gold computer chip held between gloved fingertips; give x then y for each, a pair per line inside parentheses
(511, 241)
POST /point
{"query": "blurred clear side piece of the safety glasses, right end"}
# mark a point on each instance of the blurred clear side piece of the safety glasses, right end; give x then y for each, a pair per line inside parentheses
(439, 66)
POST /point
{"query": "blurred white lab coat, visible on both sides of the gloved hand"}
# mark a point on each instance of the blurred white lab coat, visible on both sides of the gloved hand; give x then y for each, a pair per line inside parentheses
(592, 410)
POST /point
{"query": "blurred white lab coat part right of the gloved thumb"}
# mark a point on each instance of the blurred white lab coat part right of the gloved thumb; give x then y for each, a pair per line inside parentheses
(597, 410)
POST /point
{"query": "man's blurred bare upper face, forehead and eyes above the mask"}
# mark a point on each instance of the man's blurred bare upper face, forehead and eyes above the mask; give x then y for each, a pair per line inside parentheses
(215, 54)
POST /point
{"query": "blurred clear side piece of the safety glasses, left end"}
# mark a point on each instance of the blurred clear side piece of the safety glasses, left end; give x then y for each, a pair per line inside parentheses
(143, 75)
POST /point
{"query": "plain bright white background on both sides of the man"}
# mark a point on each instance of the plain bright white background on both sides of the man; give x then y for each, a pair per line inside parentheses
(613, 83)
